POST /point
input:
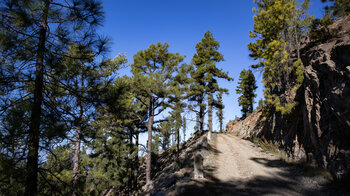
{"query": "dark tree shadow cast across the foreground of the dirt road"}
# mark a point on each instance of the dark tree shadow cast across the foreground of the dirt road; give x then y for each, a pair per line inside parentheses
(291, 180)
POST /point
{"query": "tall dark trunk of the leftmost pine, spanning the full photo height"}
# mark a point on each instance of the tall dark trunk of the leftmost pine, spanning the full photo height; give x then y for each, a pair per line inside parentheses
(34, 127)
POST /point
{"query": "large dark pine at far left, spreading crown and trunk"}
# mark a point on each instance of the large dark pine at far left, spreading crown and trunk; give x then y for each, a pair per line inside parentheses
(38, 33)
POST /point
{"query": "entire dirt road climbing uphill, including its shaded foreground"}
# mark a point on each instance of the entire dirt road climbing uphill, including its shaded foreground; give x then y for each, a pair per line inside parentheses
(234, 166)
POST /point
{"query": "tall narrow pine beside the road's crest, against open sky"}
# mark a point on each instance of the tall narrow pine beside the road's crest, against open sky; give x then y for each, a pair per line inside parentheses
(205, 75)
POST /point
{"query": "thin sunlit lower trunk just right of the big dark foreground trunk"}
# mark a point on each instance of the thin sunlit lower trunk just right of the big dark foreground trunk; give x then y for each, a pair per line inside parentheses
(76, 161)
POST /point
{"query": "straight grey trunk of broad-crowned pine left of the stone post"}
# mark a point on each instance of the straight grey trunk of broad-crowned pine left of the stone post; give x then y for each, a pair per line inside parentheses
(149, 145)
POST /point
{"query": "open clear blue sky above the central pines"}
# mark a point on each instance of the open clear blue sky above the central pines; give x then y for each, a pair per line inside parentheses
(135, 24)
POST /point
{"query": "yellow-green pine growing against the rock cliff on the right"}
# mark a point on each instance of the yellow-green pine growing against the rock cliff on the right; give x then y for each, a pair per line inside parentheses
(274, 48)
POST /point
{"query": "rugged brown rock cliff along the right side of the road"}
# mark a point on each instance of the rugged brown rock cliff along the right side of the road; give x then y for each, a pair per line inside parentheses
(318, 130)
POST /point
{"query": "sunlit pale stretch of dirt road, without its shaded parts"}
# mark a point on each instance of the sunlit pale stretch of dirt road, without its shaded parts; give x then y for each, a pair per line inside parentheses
(239, 159)
